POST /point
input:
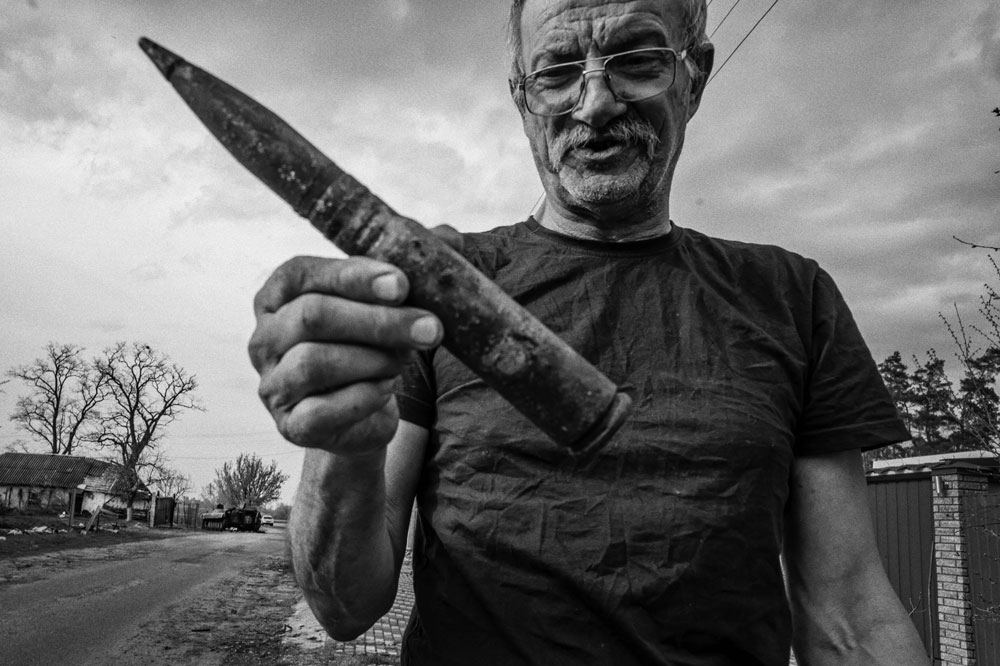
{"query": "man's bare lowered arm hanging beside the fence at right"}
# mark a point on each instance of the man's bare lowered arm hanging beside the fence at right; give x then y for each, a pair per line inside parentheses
(844, 611)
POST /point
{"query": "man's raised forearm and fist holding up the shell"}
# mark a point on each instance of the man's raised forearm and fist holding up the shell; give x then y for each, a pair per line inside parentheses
(331, 338)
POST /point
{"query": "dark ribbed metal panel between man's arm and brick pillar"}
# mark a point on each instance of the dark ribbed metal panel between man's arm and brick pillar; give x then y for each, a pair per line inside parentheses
(903, 517)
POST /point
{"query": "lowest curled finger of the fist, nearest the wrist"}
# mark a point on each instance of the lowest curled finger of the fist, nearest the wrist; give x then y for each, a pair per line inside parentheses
(356, 418)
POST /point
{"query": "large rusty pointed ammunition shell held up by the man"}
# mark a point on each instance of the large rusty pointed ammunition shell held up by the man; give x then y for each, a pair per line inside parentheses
(515, 354)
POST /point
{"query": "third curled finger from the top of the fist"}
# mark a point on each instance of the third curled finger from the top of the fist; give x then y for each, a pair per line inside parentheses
(312, 369)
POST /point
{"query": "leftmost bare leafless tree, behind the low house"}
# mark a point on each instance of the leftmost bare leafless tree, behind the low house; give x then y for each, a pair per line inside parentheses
(65, 392)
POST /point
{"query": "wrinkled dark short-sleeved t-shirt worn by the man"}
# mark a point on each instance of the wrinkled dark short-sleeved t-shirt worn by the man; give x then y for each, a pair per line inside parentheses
(664, 549)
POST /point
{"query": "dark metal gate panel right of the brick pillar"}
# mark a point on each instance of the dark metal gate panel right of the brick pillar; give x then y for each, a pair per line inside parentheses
(982, 534)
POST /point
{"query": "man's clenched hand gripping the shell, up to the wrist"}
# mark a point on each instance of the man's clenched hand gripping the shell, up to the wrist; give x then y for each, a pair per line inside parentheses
(330, 340)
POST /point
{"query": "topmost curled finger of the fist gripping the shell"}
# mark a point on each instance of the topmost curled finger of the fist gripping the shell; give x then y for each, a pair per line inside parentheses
(355, 278)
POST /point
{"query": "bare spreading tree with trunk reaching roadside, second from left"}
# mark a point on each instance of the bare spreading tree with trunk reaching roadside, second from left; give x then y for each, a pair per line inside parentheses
(146, 392)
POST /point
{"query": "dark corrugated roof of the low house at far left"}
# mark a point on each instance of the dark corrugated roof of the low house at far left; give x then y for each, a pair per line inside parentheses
(54, 471)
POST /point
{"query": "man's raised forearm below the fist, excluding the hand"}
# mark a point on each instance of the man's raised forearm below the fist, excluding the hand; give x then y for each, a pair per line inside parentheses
(344, 558)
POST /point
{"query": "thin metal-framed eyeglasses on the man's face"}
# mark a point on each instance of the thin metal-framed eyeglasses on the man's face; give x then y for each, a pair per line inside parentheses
(631, 76)
